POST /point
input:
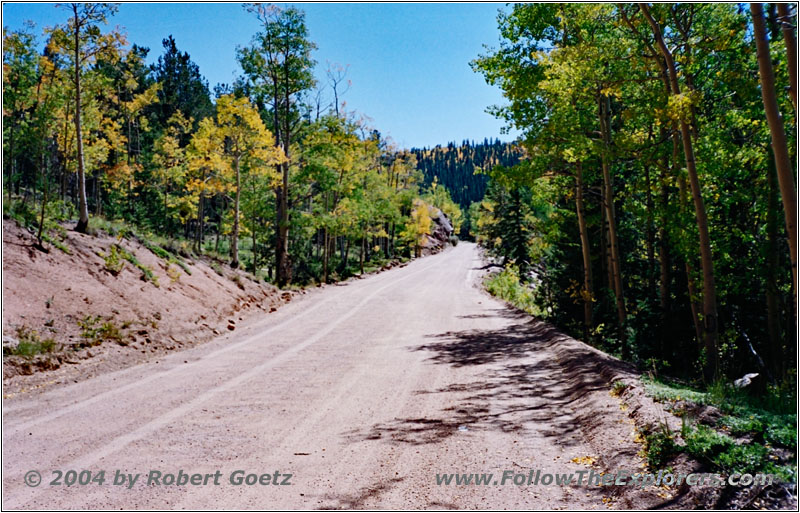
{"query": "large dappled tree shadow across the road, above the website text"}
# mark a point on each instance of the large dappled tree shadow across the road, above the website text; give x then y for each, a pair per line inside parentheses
(526, 381)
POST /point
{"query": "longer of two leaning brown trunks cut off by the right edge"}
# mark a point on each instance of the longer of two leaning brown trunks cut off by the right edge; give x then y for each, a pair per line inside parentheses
(779, 147)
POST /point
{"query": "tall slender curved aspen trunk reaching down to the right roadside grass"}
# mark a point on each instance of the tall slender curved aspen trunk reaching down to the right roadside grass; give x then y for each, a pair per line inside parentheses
(709, 287)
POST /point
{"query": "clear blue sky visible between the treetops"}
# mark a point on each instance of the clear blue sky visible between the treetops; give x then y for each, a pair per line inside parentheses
(409, 63)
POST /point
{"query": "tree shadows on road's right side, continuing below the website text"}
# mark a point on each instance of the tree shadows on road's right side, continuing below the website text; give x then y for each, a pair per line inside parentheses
(526, 378)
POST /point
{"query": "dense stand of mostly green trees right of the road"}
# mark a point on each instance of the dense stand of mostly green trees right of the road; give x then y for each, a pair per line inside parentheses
(655, 211)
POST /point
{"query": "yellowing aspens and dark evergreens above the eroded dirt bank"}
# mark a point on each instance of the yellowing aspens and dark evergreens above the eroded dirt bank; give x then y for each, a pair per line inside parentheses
(269, 172)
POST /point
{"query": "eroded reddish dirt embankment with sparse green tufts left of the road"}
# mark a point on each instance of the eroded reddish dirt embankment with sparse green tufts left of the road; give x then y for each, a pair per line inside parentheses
(96, 313)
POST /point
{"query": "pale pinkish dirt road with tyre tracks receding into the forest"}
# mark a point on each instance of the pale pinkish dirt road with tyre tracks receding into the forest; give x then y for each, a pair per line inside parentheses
(363, 392)
